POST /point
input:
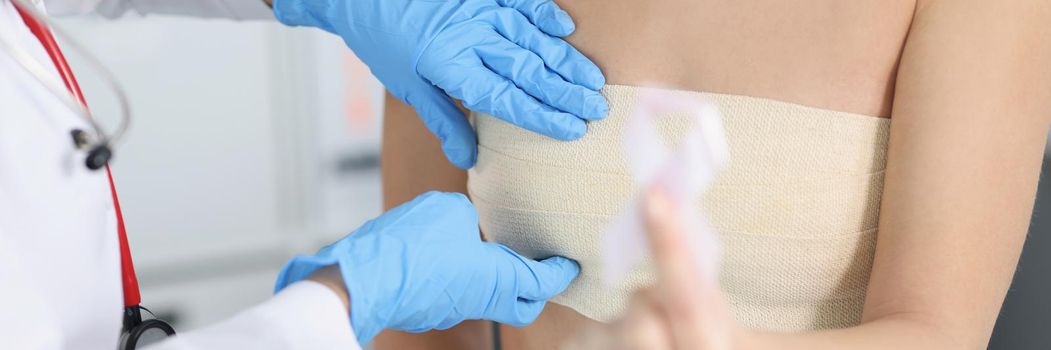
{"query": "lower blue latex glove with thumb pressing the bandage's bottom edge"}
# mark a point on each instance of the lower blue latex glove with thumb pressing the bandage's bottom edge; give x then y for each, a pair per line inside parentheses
(423, 266)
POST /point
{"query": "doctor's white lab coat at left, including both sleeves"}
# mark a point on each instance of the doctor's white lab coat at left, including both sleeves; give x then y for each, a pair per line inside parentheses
(59, 266)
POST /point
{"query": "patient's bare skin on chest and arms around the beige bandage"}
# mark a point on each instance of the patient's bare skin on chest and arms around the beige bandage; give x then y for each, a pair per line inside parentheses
(966, 83)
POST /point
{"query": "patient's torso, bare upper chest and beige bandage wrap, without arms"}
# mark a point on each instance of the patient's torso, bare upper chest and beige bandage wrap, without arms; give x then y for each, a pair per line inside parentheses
(798, 204)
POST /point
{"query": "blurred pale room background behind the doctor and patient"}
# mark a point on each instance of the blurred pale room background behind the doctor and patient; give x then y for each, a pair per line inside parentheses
(253, 142)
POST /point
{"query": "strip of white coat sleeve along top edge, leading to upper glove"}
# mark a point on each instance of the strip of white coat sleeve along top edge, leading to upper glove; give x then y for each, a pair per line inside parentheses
(238, 10)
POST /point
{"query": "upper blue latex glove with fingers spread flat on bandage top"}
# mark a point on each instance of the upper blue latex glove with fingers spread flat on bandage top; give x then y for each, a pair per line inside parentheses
(489, 54)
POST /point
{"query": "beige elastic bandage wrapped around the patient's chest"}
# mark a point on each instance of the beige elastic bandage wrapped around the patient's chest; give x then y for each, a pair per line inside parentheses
(796, 207)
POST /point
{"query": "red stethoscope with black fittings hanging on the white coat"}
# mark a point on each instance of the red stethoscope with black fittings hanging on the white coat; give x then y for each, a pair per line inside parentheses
(136, 331)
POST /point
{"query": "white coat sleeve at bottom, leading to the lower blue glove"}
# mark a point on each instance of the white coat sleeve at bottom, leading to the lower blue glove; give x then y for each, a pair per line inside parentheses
(305, 316)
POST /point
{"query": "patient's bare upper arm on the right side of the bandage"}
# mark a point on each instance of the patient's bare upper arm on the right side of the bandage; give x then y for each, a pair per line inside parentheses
(971, 120)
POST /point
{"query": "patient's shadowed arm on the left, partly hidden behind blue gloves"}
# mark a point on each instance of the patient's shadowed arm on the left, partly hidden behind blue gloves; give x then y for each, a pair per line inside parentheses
(413, 163)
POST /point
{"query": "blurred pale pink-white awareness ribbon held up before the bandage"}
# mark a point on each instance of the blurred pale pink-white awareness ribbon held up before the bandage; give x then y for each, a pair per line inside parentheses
(685, 173)
